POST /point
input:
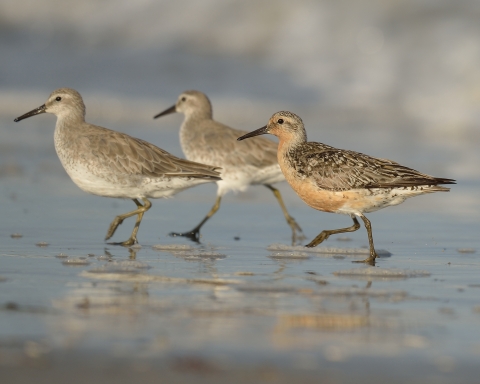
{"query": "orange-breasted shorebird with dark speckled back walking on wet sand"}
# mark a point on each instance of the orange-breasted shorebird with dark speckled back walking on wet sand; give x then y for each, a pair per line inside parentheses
(342, 181)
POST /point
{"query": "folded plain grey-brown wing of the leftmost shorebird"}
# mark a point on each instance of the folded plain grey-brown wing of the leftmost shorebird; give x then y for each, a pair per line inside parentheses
(135, 156)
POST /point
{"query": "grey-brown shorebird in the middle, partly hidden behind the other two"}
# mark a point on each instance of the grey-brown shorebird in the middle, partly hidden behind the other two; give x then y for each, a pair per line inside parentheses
(206, 140)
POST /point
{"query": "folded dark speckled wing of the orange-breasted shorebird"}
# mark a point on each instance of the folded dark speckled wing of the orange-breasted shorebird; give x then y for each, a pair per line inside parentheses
(335, 169)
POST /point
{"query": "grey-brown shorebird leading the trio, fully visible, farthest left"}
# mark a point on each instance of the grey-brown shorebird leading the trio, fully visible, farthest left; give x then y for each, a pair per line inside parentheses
(108, 163)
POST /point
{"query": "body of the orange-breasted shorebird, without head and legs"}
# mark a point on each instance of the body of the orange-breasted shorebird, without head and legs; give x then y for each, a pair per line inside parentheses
(342, 181)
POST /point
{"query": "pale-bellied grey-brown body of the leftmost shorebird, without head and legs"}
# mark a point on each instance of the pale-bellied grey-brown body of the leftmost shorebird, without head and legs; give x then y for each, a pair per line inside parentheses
(109, 163)
